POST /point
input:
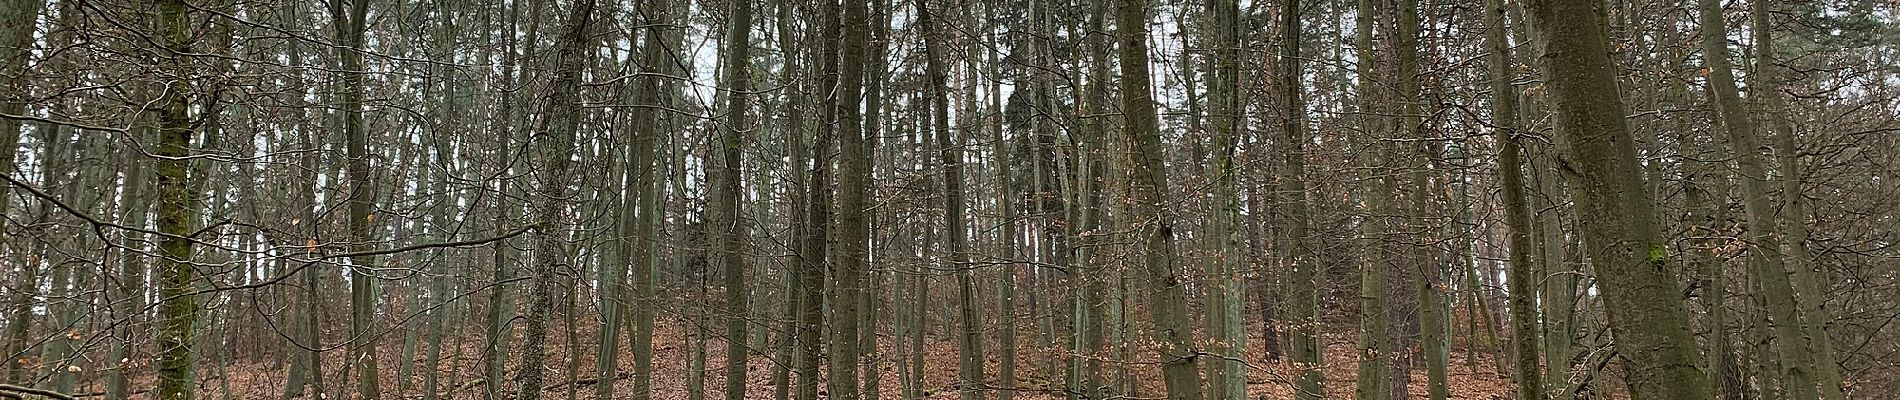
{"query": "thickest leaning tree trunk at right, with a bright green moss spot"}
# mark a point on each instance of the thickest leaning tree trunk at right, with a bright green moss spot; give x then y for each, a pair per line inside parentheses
(1616, 215)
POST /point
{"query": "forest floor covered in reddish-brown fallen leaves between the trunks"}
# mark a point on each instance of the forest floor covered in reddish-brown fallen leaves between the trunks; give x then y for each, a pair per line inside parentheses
(1040, 378)
